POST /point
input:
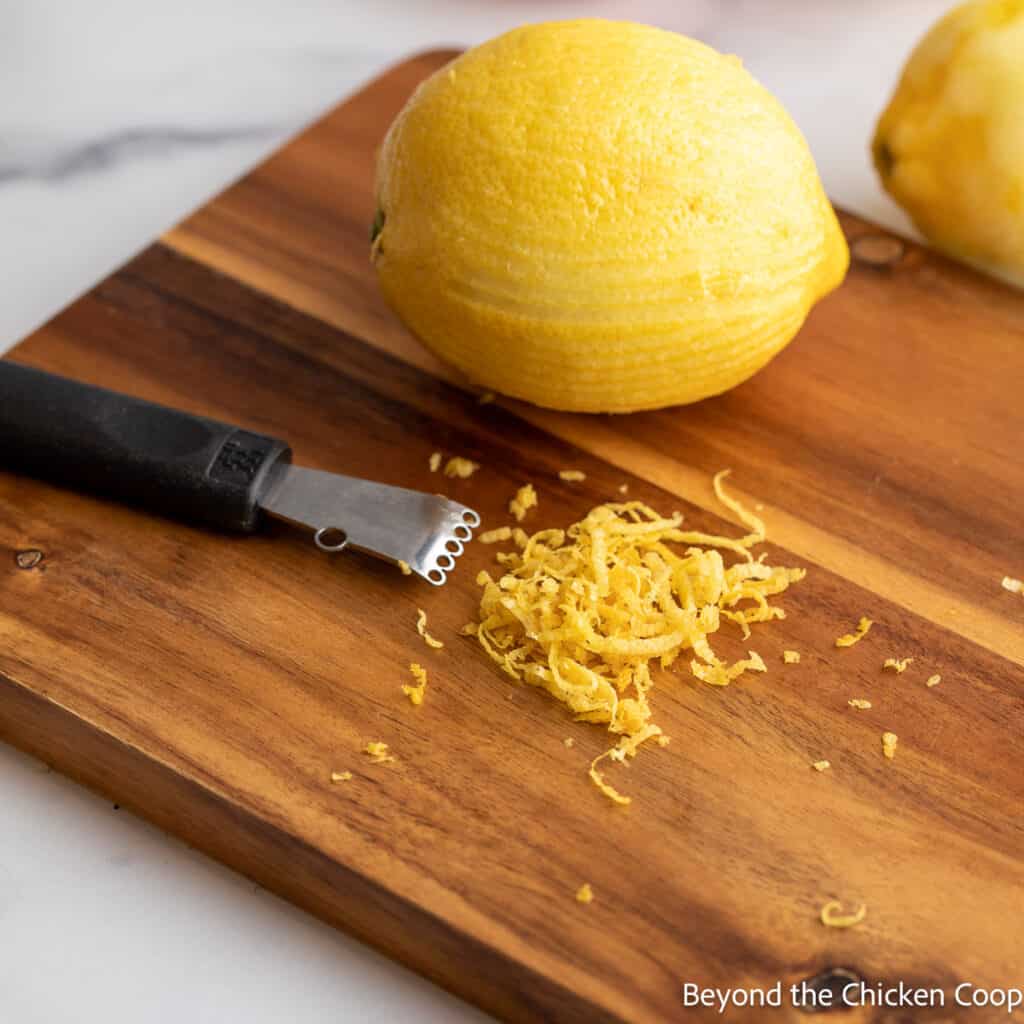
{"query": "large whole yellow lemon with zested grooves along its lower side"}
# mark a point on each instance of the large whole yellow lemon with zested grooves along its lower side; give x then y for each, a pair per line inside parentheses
(602, 217)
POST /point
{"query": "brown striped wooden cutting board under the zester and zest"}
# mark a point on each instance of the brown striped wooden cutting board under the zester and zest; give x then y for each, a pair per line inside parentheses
(214, 684)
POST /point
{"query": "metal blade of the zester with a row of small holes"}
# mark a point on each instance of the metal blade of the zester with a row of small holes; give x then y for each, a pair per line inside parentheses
(425, 532)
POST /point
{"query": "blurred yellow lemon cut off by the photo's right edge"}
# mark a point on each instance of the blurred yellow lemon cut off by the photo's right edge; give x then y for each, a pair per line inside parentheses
(950, 147)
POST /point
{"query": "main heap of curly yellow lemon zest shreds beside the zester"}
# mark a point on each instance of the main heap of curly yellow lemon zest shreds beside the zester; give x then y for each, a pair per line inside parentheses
(588, 612)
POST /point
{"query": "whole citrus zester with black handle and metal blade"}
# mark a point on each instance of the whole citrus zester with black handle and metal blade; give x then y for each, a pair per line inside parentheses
(198, 471)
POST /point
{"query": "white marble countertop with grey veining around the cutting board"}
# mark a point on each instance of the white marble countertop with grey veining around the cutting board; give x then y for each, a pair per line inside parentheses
(116, 120)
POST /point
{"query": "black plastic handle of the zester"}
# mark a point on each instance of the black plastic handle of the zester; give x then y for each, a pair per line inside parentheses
(169, 462)
